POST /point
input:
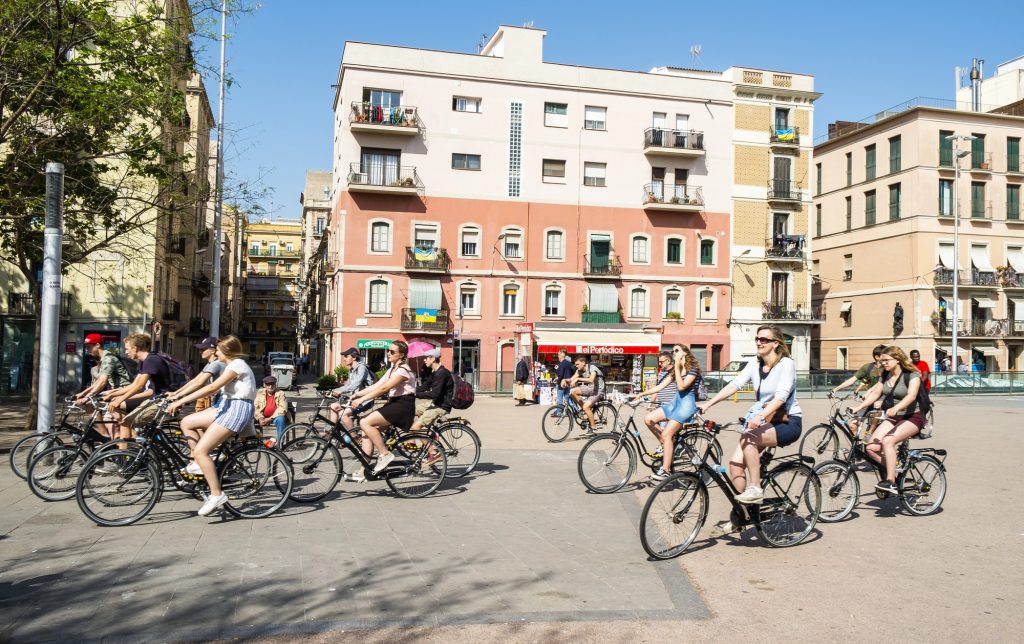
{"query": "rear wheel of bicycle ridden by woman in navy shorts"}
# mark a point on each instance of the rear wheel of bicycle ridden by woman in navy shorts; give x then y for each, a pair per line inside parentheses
(791, 506)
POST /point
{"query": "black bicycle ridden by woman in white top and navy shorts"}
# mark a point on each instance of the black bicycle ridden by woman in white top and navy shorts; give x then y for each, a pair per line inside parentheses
(677, 508)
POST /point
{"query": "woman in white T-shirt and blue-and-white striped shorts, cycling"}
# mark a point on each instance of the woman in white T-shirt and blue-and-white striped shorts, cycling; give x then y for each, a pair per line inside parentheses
(235, 413)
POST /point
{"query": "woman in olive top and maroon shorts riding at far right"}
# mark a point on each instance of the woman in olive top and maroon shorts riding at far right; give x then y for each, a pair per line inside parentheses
(899, 390)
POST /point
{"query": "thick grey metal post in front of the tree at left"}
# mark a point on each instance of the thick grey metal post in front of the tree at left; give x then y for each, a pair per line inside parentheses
(51, 302)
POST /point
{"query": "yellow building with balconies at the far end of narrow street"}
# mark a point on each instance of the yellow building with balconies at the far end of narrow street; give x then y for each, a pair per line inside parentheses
(274, 261)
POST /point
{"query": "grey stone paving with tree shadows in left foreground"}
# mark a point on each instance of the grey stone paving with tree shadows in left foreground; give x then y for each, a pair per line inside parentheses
(522, 543)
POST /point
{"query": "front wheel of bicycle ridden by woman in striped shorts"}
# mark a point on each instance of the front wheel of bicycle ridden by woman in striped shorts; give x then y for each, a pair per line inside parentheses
(118, 488)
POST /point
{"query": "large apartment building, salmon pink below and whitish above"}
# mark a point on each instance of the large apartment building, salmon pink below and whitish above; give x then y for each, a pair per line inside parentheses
(476, 194)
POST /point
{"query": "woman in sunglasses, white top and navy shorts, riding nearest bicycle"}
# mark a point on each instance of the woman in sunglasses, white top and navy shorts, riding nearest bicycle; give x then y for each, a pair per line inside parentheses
(775, 419)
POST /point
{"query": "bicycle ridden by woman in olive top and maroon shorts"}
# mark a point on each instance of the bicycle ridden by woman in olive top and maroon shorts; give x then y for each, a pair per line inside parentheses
(921, 479)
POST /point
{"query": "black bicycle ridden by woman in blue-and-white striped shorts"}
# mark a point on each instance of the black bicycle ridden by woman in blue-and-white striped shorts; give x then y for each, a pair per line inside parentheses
(121, 487)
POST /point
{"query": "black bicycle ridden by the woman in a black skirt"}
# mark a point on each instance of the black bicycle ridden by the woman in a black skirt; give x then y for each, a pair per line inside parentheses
(420, 463)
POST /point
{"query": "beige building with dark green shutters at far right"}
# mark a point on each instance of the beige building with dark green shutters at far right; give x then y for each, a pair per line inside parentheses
(886, 196)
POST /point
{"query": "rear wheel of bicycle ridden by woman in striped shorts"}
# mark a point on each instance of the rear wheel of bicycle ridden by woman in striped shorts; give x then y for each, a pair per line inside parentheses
(257, 480)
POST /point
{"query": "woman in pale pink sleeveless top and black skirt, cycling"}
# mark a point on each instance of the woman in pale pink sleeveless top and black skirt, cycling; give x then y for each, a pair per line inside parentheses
(400, 383)
